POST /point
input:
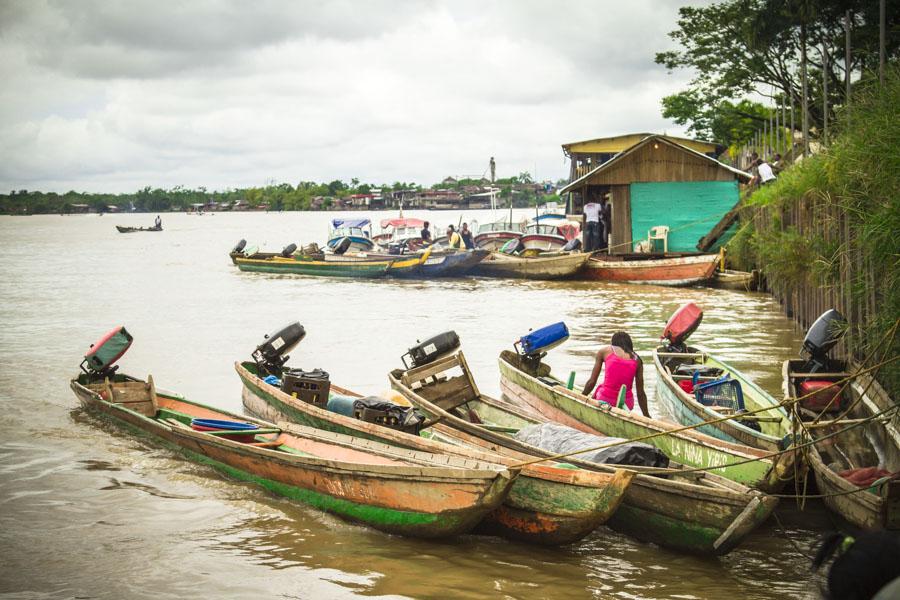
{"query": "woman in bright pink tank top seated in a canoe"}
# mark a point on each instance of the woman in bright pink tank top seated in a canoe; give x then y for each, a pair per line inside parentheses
(623, 367)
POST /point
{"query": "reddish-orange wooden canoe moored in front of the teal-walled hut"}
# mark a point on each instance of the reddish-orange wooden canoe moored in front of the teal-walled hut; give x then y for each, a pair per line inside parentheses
(681, 270)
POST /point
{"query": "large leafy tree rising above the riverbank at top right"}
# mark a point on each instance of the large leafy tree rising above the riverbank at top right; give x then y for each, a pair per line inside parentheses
(742, 47)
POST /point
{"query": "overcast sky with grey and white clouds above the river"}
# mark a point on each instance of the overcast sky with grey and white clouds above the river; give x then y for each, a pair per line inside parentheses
(116, 95)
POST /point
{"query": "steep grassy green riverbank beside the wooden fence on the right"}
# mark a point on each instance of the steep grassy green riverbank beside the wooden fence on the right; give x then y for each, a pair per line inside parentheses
(830, 226)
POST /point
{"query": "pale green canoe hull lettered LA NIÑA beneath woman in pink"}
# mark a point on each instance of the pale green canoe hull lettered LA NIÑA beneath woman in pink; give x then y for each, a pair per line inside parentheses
(547, 395)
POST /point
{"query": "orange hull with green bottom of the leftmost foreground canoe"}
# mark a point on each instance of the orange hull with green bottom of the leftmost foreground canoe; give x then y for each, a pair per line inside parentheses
(432, 504)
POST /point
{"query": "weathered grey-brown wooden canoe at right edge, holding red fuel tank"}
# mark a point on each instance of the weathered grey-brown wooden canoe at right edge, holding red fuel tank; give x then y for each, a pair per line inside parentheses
(874, 444)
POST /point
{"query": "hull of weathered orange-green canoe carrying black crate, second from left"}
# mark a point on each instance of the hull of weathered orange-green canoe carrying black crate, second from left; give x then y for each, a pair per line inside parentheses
(547, 504)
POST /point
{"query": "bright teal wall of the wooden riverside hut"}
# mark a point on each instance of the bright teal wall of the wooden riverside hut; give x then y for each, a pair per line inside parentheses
(689, 208)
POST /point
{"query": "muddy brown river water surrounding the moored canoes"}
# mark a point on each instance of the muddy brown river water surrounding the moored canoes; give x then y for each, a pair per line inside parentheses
(88, 511)
